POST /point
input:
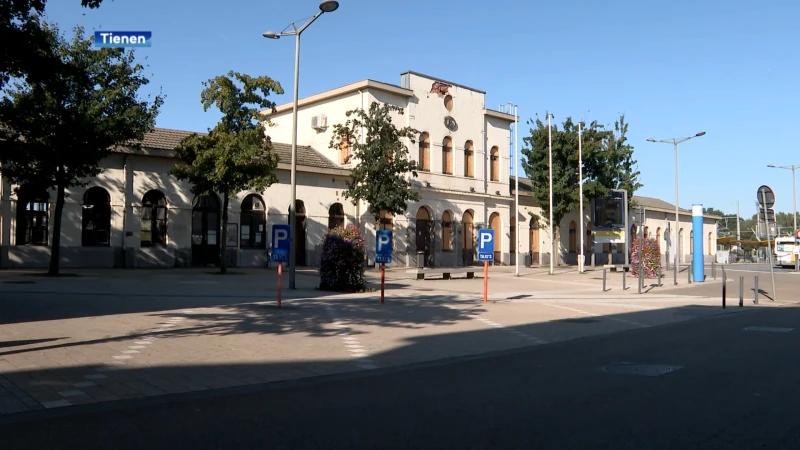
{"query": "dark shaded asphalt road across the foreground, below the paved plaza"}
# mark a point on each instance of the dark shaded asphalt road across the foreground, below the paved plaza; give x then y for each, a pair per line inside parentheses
(736, 390)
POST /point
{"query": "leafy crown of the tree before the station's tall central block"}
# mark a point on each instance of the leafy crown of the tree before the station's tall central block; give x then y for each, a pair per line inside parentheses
(382, 160)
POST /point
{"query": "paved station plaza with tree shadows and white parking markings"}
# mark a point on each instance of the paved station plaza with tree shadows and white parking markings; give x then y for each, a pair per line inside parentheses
(104, 336)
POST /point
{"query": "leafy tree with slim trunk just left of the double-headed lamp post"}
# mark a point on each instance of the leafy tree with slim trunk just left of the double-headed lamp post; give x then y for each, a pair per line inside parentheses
(237, 154)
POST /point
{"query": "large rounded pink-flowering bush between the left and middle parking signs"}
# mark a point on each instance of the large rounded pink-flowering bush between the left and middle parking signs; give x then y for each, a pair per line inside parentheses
(342, 264)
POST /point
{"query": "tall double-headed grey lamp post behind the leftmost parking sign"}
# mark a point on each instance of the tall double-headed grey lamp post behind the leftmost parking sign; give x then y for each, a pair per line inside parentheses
(326, 6)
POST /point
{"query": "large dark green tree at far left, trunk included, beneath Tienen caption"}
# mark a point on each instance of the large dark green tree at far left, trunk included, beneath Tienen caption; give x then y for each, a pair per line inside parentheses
(58, 130)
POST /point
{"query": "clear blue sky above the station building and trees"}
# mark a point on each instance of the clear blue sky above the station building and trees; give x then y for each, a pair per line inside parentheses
(673, 68)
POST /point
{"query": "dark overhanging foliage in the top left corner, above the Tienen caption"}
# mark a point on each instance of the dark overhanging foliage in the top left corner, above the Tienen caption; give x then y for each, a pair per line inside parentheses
(27, 52)
